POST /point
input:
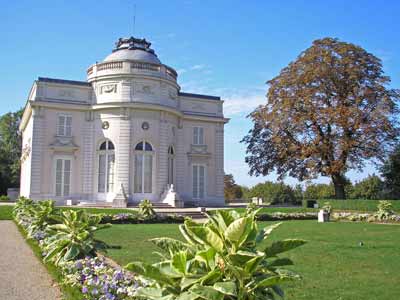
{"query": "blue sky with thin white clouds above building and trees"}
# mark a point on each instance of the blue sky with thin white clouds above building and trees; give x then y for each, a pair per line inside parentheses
(225, 48)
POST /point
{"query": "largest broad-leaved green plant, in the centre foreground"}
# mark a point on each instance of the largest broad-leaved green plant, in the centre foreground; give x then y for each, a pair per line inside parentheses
(221, 259)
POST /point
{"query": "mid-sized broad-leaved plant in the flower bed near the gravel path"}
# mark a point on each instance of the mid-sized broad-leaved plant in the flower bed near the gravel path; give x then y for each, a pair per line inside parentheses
(74, 237)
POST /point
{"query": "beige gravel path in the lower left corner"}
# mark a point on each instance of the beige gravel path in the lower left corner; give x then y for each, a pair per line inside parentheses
(22, 275)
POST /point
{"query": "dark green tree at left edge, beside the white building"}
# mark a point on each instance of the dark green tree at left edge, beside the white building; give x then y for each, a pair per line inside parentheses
(10, 150)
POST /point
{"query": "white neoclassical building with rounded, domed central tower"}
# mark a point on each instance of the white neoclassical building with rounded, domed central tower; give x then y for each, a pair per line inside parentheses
(126, 134)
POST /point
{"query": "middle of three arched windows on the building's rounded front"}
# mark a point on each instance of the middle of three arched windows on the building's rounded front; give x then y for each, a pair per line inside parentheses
(143, 181)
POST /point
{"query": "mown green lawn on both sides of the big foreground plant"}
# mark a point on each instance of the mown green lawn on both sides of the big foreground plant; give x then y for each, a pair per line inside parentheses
(333, 264)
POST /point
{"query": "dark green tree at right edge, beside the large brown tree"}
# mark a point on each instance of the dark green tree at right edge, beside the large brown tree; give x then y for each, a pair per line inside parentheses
(391, 173)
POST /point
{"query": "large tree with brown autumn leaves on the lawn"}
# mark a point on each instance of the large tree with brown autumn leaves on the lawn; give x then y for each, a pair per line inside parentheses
(327, 112)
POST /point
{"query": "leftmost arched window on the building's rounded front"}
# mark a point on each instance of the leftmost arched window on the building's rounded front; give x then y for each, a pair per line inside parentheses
(106, 167)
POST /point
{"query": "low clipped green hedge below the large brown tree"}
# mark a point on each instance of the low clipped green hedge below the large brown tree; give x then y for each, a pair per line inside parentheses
(358, 205)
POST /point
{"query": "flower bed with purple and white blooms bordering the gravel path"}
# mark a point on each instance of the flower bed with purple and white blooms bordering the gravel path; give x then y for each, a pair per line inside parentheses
(92, 275)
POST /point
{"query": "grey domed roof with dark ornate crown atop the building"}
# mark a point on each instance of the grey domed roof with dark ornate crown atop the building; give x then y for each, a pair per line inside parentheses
(133, 49)
